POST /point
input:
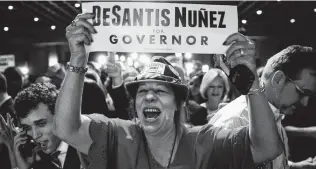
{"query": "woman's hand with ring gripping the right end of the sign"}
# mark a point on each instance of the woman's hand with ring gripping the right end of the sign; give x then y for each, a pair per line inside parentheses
(241, 51)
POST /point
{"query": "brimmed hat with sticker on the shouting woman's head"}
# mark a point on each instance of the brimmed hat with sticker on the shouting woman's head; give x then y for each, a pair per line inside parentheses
(159, 70)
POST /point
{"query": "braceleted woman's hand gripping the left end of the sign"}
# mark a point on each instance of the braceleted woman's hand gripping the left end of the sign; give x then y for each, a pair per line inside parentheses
(78, 34)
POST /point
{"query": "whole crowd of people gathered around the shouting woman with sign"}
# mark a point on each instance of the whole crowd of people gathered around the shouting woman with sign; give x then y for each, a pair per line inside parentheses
(81, 115)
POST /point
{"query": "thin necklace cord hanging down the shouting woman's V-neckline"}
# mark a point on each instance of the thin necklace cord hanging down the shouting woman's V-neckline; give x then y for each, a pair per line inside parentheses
(148, 153)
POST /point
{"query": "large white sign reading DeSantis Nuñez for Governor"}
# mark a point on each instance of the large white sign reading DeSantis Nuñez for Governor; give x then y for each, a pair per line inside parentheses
(161, 27)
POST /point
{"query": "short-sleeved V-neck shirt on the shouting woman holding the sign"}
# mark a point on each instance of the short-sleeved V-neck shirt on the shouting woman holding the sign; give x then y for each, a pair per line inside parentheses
(120, 144)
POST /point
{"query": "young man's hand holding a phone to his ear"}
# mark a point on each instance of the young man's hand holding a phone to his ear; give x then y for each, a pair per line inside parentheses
(22, 163)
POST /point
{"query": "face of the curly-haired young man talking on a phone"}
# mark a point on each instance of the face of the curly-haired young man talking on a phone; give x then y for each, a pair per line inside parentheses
(39, 124)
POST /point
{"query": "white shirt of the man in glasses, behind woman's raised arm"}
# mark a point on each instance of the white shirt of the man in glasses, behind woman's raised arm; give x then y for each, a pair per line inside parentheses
(235, 114)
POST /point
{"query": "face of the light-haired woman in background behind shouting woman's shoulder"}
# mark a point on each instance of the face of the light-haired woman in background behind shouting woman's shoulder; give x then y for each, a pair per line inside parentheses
(215, 92)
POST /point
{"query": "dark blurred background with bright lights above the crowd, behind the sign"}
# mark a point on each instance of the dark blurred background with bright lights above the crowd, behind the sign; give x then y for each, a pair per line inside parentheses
(33, 32)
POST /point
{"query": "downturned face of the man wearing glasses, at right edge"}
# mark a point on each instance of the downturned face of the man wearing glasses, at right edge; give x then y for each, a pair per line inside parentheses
(295, 94)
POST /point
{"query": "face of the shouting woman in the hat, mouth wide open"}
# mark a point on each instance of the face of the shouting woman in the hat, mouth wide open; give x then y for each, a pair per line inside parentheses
(155, 105)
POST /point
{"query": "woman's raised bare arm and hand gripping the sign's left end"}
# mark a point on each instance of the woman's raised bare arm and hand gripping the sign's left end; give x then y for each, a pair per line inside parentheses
(69, 124)
